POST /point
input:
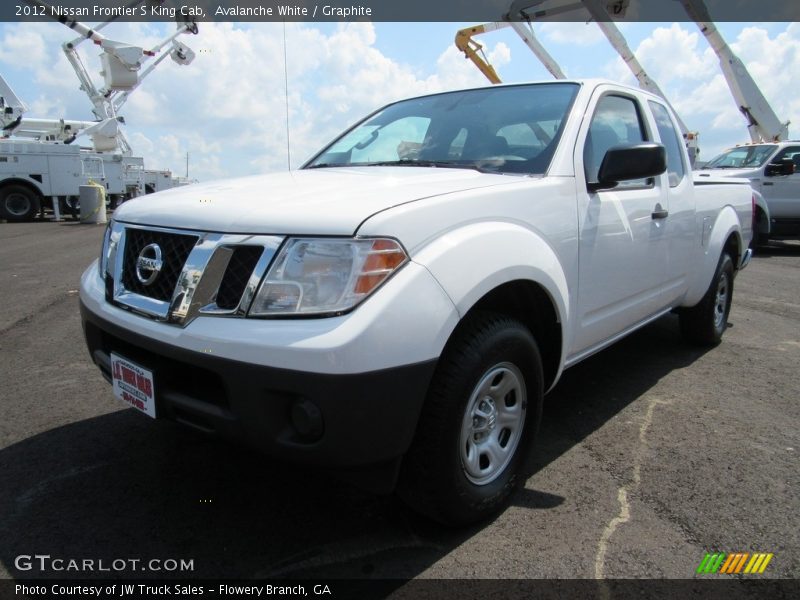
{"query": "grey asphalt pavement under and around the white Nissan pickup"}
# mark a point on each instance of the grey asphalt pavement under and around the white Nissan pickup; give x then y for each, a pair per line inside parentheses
(651, 454)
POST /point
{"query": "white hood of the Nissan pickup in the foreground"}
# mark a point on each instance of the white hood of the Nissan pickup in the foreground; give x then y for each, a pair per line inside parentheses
(331, 201)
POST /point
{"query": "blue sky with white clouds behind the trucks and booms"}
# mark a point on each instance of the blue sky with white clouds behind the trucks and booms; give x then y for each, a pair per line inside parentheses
(228, 108)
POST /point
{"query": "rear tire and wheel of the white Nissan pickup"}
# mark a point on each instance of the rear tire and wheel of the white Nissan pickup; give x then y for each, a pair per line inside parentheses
(705, 323)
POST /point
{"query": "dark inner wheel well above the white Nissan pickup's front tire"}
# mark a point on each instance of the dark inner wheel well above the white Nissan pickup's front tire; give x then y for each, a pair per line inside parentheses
(529, 302)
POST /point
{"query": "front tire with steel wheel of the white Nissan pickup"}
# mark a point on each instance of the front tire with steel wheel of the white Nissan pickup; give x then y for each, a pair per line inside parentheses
(435, 478)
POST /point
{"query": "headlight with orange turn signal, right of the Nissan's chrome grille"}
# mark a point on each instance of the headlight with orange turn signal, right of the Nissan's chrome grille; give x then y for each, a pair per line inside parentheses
(325, 276)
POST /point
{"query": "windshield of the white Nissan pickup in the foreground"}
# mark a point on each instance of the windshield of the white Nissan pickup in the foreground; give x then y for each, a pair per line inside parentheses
(513, 129)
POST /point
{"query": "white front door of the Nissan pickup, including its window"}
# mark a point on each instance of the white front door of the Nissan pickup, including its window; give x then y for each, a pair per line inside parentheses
(622, 246)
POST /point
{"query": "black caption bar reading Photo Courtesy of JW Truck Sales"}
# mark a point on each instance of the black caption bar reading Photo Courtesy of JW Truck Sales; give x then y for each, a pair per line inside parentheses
(709, 587)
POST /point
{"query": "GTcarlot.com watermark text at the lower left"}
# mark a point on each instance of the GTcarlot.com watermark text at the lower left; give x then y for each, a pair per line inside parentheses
(48, 563)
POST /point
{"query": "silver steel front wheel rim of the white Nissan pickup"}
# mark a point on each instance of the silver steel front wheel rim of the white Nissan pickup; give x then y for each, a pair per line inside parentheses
(493, 422)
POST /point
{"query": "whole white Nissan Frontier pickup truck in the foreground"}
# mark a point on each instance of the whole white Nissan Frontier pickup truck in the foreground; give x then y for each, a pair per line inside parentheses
(396, 308)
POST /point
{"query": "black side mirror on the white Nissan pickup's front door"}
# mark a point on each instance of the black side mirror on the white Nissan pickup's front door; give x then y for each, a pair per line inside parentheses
(630, 161)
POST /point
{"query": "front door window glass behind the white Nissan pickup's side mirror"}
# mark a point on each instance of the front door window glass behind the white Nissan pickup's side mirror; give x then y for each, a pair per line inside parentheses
(616, 121)
